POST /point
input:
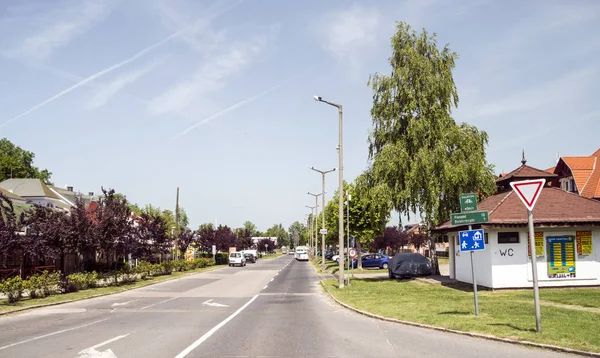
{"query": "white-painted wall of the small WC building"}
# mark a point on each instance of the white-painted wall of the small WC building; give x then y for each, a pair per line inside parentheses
(508, 265)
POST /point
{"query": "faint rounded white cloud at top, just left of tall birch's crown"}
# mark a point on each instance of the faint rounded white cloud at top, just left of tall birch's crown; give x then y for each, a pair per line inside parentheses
(348, 33)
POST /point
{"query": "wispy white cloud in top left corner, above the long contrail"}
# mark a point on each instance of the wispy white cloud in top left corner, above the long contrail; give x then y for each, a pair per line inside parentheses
(70, 23)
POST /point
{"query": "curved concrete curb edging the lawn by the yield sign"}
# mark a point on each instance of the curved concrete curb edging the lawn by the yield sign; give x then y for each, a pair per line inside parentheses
(463, 333)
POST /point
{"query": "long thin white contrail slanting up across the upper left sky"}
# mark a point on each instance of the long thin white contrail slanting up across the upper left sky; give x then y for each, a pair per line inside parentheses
(107, 70)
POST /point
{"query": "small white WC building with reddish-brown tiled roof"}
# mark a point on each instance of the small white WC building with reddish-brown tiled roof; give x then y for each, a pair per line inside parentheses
(567, 238)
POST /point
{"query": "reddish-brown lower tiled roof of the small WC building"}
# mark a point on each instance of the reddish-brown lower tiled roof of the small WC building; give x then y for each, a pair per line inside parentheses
(554, 207)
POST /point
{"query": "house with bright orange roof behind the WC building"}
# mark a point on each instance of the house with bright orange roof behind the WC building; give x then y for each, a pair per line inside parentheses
(580, 175)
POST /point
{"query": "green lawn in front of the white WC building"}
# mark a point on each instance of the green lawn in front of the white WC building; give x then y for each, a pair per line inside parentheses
(507, 314)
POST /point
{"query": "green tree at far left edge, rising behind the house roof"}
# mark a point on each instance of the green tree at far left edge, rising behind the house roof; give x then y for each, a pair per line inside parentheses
(16, 162)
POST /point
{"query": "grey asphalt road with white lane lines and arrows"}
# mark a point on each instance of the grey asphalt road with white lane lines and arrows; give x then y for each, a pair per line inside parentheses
(274, 308)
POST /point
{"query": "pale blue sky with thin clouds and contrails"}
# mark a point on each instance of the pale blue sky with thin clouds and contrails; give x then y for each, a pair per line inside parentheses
(216, 97)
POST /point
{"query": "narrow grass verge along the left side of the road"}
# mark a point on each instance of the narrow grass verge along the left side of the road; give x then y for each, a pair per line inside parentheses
(26, 302)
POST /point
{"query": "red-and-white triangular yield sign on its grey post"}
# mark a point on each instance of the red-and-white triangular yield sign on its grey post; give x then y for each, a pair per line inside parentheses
(529, 191)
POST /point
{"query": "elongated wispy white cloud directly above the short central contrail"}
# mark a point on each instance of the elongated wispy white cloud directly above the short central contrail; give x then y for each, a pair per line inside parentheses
(209, 77)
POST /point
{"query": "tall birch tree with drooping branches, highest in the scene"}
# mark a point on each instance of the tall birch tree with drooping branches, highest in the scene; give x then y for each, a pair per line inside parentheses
(418, 150)
